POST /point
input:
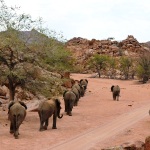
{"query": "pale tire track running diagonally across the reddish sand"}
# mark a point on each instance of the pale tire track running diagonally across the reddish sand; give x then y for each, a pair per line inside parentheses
(103, 132)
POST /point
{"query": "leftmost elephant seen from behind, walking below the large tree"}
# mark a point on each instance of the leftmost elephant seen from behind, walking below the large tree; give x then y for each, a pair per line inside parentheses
(16, 115)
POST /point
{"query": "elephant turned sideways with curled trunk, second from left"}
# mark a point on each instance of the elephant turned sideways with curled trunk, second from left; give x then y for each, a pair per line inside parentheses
(46, 109)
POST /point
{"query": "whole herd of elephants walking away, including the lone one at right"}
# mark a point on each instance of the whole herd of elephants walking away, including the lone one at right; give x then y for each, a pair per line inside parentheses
(51, 107)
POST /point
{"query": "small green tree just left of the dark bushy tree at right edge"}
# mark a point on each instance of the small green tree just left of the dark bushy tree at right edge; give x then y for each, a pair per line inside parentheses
(125, 64)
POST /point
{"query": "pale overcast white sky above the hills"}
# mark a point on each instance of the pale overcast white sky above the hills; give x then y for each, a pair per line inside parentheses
(91, 19)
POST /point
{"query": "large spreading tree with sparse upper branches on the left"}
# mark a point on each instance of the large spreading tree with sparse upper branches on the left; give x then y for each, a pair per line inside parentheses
(26, 47)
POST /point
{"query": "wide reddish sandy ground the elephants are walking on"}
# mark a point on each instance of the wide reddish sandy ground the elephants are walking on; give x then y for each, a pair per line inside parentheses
(96, 123)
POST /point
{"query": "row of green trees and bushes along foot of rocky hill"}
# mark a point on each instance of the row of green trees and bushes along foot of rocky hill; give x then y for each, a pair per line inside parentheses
(127, 66)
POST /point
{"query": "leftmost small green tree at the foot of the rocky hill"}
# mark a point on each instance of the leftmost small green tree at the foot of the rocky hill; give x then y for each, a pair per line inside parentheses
(99, 62)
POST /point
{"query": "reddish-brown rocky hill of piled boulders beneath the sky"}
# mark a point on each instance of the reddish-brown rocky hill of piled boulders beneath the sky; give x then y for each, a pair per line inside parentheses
(83, 49)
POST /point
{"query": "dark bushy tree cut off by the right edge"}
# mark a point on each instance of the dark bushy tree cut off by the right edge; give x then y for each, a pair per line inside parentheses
(143, 68)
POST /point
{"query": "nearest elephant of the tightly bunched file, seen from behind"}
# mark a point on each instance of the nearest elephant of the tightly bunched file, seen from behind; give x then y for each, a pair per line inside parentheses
(69, 100)
